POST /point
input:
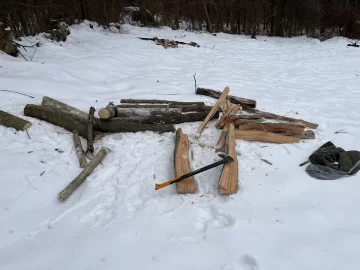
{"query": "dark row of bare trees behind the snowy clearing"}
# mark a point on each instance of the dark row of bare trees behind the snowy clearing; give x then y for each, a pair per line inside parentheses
(284, 18)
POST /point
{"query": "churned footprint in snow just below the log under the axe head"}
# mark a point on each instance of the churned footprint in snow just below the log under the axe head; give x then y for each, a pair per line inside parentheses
(209, 216)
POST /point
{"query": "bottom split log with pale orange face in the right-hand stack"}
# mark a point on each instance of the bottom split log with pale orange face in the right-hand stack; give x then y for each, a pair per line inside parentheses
(262, 136)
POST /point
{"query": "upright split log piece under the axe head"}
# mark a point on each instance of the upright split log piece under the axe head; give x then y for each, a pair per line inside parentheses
(228, 183)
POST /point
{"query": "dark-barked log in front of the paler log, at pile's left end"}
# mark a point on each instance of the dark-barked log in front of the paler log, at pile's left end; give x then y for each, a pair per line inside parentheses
(58, 118)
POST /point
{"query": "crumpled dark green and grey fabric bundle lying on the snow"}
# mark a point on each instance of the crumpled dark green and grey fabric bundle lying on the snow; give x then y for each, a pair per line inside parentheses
(330, 162)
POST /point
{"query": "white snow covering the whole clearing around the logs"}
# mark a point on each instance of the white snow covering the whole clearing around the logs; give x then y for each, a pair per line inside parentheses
(280, 218)
